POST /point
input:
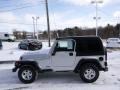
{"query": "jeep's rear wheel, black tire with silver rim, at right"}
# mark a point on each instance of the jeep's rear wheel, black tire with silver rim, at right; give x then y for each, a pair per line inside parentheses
(89, 73)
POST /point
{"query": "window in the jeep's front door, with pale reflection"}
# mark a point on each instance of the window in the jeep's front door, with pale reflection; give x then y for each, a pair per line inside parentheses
(65, 45)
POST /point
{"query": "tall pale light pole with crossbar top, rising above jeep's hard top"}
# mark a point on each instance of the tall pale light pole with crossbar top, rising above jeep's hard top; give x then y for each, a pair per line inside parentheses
(96, 18)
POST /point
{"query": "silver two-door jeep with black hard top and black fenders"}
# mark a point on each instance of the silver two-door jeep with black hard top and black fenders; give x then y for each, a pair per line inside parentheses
(83, 55)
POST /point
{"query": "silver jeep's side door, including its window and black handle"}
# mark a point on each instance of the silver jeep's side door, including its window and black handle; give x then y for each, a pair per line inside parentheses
(64, 54)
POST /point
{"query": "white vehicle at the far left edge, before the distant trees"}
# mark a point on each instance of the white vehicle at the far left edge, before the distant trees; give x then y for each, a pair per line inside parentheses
(7, 37)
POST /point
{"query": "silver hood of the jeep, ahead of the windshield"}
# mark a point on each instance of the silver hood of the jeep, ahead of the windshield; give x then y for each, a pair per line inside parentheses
(36, 55)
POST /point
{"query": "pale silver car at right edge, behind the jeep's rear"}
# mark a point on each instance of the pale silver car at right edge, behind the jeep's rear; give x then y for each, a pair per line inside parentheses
(113, 43)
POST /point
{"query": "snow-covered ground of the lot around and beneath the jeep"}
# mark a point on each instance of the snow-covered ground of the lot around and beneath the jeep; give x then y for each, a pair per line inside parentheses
(57, 81)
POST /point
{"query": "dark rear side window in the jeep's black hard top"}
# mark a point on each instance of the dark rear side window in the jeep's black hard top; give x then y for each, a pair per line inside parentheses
(89, 46)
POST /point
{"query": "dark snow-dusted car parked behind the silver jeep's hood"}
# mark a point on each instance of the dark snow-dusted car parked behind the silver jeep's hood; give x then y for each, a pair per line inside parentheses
(30, 44)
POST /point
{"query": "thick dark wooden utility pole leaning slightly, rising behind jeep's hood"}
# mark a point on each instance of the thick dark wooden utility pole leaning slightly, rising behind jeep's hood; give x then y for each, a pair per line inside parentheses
(48, 22)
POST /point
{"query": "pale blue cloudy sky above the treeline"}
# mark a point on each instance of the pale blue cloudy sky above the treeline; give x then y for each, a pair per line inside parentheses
(17, 14)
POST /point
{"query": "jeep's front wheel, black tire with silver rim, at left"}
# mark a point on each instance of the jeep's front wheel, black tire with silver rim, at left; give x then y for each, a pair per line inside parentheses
(22, 71)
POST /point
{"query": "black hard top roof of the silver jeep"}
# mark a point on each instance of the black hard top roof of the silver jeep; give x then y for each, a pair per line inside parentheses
(87, 45)
